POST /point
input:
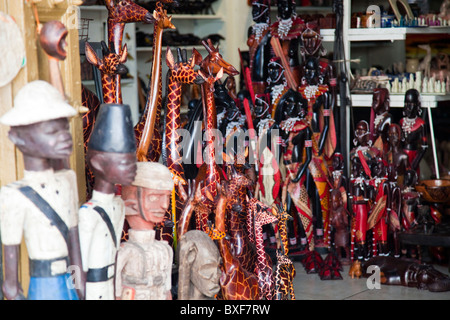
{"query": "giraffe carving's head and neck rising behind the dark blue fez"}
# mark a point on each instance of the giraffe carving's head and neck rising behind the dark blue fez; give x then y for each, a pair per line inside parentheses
(110, 65)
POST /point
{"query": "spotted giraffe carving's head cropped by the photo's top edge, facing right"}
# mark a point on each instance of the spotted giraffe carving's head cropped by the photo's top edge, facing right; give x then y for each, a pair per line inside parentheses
(125, 11)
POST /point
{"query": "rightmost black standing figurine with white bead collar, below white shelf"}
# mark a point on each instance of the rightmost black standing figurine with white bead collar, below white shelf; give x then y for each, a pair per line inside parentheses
(414, 129)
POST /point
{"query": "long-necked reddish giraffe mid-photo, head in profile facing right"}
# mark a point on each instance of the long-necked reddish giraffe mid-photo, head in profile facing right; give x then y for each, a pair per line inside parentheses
(212, 69)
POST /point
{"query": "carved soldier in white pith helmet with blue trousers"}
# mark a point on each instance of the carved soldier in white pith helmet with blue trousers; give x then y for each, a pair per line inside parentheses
(42, 206)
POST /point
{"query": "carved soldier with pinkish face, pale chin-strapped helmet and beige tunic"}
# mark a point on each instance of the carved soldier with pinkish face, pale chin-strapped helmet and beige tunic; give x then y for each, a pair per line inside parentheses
(144, 264)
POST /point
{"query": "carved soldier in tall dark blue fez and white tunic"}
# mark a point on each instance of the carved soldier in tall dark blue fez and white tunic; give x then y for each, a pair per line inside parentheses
(111, 154)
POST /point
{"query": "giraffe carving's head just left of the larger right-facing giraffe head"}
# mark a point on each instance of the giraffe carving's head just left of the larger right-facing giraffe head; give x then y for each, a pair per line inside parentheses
(183, 70)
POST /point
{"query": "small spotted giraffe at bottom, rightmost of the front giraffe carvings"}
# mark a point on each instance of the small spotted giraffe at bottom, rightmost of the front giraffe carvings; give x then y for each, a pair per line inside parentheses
(284, 270)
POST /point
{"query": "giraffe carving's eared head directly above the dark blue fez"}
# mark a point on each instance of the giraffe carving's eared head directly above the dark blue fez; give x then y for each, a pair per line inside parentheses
(111, 63)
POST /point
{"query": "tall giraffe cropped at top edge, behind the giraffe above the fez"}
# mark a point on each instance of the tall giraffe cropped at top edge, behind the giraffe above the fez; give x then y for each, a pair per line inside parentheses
(121, 12)
